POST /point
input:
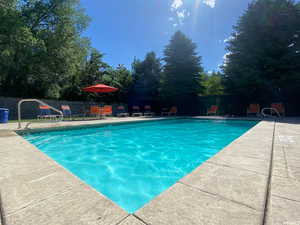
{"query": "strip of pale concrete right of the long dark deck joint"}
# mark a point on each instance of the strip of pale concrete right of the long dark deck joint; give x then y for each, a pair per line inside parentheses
(284, 195)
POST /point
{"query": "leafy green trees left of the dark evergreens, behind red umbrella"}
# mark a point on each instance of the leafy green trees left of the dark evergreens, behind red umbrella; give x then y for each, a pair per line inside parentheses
(43, 55)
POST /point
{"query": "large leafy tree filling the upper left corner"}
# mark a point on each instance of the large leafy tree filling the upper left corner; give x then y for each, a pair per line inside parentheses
(41, 50)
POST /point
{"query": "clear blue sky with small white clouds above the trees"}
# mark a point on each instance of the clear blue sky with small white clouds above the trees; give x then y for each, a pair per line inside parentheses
(124, 29)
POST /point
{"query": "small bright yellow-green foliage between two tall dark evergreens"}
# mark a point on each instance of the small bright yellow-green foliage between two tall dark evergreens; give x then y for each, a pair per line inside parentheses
(212, 84)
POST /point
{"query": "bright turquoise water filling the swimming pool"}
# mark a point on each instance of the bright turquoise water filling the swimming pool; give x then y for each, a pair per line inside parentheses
(133, 163)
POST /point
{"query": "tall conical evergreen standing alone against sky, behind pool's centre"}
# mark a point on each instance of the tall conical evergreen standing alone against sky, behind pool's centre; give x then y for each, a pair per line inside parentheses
(180, 84)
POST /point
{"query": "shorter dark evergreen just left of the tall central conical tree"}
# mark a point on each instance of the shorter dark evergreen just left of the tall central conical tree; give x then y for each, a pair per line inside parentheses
(146, 75)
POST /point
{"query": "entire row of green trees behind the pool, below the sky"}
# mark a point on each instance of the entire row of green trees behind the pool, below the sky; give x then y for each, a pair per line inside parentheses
(43, 55)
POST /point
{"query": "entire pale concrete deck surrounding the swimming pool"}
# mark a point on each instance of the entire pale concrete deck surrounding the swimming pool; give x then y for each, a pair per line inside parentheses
(253, 180)
